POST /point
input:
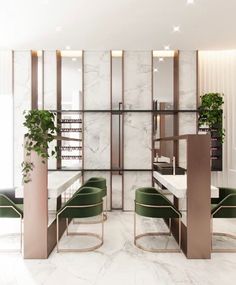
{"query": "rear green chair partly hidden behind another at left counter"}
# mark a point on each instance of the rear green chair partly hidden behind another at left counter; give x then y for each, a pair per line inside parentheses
(97, 182)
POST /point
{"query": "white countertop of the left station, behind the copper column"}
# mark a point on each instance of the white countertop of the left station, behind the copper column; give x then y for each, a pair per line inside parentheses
(58, 182)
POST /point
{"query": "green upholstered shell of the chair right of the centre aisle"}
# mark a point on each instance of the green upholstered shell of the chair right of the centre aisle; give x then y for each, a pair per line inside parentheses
(148, 197)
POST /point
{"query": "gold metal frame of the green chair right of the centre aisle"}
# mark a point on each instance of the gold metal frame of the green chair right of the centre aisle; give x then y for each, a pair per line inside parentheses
(136, 237)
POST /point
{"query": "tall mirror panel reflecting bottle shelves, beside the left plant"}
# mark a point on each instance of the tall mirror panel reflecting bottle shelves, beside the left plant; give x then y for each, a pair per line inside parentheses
(71, 99)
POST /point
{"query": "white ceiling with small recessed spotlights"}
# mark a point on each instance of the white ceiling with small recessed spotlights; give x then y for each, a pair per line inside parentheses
(117, 24)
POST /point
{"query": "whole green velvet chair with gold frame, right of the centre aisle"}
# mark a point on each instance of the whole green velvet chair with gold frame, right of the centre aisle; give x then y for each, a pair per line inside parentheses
(152, 204)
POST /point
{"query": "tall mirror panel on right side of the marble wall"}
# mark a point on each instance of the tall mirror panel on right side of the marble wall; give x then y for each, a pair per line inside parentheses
(163, 96)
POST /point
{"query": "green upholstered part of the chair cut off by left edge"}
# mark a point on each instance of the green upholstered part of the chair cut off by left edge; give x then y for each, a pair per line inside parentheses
(12, 211)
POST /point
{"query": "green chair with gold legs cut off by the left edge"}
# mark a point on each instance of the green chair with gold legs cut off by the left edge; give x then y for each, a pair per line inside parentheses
(11, 207)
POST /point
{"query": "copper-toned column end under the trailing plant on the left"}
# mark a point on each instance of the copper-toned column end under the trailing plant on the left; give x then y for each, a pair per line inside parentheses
(36, 211)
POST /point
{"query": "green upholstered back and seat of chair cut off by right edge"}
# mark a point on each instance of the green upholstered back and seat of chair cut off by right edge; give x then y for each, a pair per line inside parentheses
(227, 197)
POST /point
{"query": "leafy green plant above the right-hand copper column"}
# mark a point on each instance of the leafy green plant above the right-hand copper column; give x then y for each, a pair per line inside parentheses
(211, 113)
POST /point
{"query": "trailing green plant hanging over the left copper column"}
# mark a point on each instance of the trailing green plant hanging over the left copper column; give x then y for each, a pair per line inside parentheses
(41, 131)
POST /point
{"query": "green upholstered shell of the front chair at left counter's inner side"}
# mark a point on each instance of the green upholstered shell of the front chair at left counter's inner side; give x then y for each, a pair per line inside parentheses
(88, 196)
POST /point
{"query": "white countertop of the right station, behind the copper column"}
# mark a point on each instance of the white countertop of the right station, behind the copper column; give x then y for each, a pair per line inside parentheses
(177, 184)
